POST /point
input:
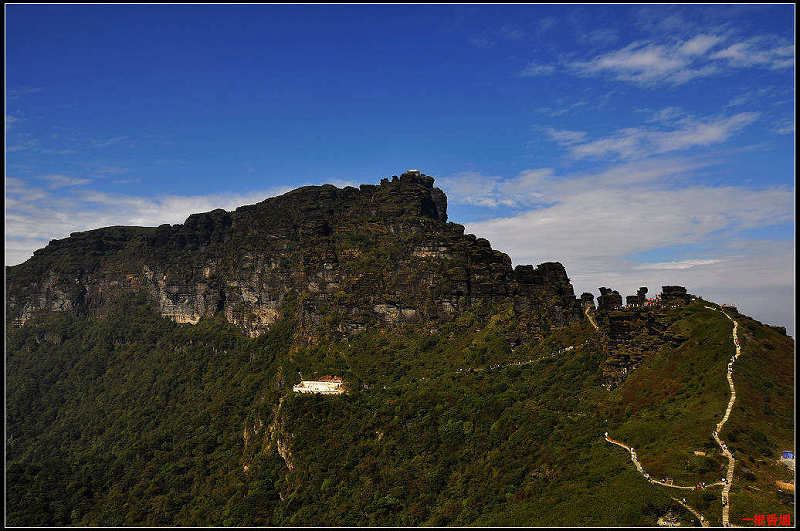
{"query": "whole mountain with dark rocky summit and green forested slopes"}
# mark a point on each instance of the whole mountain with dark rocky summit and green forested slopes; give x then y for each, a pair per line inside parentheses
(149, 378)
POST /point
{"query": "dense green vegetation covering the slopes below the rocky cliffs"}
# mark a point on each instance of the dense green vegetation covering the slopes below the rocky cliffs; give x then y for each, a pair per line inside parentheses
(135, 420)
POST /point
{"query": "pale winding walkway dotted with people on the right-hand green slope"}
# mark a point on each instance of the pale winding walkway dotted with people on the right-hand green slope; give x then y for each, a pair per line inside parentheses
(726, 486)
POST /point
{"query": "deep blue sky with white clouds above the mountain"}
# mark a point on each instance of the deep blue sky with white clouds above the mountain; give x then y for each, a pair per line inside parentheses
(638, 145)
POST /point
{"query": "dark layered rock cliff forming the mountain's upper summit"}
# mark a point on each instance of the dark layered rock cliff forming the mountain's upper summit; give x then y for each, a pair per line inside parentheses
(347, 257)
